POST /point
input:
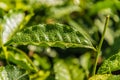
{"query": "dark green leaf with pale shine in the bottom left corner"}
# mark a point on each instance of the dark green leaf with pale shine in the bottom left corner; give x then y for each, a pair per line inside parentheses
(11, 72)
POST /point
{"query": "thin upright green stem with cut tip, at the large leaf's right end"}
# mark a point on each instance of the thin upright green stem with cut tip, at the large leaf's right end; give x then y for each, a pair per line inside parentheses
(100, 44)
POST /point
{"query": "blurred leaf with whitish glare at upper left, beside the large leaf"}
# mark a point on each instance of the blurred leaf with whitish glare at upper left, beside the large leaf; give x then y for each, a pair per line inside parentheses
(10, 23)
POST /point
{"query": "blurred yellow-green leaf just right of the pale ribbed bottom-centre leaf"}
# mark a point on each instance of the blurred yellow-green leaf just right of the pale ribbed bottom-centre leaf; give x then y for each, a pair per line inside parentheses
(76, 71)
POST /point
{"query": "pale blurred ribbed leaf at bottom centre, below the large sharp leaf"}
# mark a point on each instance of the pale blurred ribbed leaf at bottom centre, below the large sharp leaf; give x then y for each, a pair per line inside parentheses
(61, 71)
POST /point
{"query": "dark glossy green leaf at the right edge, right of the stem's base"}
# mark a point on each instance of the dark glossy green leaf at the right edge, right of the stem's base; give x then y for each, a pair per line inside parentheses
(111, 64)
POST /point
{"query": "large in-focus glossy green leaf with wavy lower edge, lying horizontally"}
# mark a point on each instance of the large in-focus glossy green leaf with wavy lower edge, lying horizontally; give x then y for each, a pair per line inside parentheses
(53, 35)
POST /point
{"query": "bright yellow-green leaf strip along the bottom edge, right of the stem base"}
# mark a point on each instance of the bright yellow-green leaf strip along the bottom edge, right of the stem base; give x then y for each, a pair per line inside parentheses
(105, 77)
